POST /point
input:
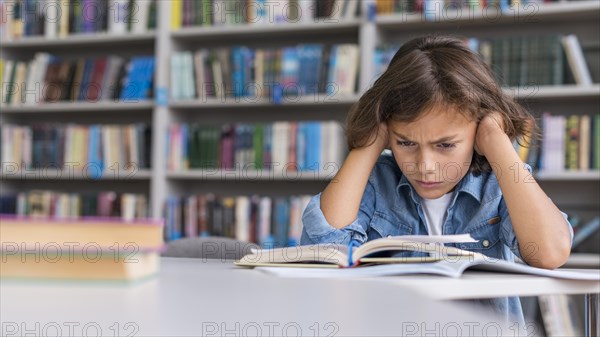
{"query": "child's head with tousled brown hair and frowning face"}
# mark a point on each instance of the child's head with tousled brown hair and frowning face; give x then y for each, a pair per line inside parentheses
(435, 87)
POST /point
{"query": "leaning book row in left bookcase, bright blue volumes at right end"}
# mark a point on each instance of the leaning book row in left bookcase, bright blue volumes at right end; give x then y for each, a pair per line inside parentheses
(49, 79)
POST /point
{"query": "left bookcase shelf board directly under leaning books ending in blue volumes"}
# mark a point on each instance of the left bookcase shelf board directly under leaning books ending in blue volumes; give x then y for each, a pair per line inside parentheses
(61, 107)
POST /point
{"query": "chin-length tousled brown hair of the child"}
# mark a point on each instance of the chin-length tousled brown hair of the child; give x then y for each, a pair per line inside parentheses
(436, 71)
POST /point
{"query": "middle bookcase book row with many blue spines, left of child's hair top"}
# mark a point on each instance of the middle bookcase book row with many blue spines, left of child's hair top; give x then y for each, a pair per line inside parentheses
(257, 73)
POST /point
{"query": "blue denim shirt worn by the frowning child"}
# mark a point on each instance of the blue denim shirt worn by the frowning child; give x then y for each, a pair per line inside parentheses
(390, 206)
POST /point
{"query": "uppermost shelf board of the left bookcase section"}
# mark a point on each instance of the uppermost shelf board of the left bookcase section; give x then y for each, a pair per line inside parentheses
(79, 40)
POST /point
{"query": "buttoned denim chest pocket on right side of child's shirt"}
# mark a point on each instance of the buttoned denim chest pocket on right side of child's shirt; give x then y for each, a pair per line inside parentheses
(487, 234)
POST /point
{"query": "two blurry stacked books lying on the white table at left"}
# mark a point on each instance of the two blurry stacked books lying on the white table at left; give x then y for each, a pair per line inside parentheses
(104, 249)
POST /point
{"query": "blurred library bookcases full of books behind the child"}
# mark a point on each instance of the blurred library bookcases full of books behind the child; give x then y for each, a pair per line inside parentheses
(223, 117)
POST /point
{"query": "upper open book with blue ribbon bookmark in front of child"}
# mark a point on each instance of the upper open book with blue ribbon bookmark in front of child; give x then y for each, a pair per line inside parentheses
(336, 255)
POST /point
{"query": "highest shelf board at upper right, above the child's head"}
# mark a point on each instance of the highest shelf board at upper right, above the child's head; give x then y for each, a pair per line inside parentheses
(530, 13)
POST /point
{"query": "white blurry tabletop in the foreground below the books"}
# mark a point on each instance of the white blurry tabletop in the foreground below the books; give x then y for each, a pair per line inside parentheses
(193, 297)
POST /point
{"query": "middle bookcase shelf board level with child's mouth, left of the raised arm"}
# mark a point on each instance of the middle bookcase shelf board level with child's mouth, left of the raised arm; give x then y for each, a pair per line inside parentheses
(251, 175)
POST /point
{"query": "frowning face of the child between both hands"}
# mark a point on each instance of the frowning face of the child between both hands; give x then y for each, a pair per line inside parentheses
(435, 151)
